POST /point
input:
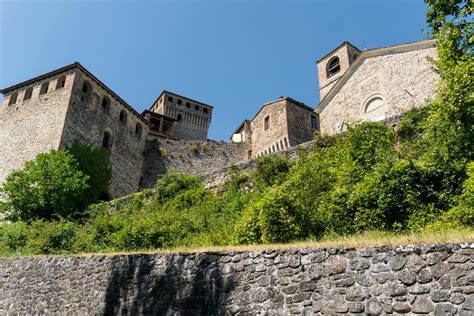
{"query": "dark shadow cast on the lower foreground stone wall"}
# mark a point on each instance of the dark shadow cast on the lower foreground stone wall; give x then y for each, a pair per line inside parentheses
(182, 284)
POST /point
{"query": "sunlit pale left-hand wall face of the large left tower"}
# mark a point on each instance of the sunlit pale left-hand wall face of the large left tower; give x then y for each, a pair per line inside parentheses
(32, 126)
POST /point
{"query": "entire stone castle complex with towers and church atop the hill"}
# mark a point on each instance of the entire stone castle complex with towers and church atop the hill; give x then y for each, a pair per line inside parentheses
(52, 110)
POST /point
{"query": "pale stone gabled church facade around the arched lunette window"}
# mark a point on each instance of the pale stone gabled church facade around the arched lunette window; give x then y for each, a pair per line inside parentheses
(403, 80)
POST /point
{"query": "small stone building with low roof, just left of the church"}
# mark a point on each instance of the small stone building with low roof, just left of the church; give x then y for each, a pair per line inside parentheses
(278, 125)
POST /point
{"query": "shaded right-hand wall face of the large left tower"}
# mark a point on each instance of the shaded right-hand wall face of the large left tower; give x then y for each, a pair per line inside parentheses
(87, 121)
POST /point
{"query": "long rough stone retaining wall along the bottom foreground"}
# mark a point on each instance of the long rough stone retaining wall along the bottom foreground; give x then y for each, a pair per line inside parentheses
(433, 279)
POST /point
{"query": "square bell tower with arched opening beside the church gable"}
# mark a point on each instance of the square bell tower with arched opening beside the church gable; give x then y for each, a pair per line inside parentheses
(332, 66)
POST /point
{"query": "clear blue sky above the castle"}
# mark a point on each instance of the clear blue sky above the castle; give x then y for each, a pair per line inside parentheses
(235, 55)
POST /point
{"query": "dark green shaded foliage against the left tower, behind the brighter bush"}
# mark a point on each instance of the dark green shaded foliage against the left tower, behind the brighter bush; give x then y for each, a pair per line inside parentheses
(93, 162)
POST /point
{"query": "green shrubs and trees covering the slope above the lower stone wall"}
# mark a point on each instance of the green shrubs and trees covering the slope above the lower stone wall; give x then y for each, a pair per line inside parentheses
(417, 179)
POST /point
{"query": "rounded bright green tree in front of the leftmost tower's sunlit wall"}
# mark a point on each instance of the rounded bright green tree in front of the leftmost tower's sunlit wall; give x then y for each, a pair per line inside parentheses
(49, 186)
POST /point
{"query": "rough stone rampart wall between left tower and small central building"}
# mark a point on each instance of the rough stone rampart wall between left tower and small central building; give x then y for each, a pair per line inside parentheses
(191, 157)
